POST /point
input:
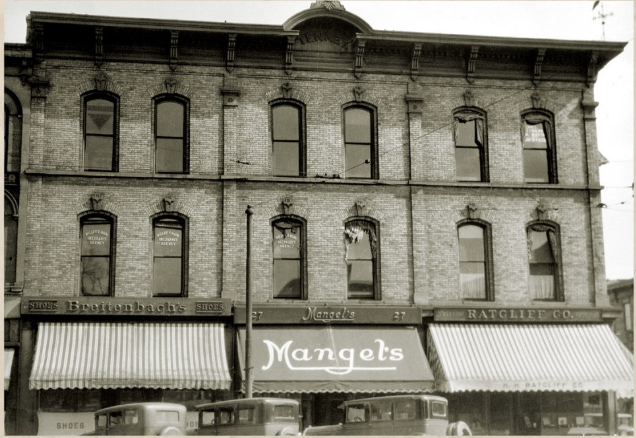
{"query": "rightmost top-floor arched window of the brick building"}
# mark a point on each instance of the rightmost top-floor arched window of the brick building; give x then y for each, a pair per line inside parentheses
(539, 149)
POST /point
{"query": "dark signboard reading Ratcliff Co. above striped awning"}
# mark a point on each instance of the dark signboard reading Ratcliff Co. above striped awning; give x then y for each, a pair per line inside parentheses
(517, 315)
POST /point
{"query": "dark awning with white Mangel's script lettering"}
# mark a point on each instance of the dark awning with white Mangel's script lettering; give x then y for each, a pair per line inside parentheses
(337, 359)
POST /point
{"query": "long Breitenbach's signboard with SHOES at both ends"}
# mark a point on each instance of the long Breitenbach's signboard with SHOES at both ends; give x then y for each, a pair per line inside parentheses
(106, 306)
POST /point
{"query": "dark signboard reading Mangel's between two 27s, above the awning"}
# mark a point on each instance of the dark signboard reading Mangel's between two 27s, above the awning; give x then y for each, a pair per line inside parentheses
(330, 315)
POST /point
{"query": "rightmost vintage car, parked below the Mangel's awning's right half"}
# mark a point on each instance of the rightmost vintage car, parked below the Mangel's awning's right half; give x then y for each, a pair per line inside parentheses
(394, 416)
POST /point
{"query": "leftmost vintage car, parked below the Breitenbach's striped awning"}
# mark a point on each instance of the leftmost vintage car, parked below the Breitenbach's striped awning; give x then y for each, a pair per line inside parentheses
(141, 419)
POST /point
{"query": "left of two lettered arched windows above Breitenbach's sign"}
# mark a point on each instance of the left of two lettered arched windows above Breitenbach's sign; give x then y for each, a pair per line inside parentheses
(97, 255)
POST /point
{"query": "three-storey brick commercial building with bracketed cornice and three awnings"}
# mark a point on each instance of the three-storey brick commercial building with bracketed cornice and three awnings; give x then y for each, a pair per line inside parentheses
(423, 208)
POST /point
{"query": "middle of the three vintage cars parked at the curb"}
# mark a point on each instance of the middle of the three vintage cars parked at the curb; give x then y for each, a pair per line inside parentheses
(249, 416)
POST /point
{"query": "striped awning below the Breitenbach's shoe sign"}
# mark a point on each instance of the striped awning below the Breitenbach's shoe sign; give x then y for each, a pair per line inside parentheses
(130, 355)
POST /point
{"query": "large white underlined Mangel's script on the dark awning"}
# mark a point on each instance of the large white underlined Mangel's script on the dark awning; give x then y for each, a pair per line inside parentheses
(346, 359)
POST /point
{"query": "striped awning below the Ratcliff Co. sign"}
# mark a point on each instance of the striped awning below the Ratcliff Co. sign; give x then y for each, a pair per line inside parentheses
(515, 358)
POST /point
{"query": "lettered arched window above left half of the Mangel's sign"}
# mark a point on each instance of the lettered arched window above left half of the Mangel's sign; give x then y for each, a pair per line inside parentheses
(289, 258)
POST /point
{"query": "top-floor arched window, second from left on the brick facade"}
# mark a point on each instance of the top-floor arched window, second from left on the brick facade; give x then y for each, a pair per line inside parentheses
(171, 135)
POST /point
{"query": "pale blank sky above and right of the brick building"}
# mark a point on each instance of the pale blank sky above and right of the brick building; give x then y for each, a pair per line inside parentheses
(568, 20)
